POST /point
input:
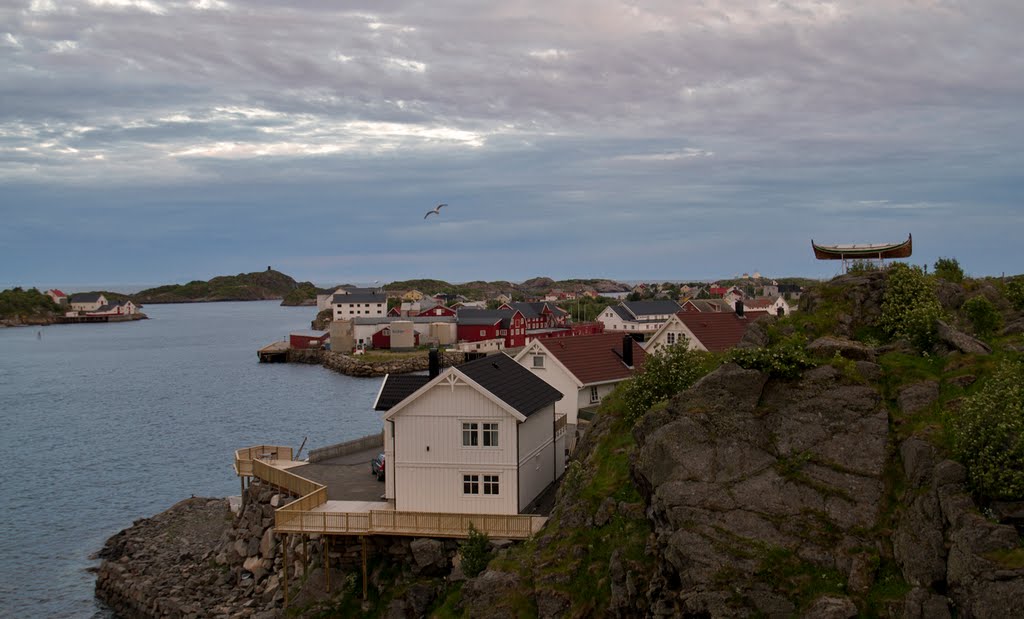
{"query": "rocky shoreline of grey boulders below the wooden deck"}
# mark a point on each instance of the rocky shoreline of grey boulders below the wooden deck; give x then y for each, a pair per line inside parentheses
(199, 559)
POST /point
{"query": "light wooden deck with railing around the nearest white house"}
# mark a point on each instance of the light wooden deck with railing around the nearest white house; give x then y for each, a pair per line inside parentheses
(314, 514)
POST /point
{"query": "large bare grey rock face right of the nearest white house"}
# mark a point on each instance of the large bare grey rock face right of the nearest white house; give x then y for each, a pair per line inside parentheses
(744, 473)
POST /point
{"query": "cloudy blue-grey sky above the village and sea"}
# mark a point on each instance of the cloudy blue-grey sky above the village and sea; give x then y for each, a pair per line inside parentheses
(156, 142)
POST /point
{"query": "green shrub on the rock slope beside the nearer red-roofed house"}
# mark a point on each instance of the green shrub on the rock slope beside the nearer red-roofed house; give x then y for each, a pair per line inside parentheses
(666, 374)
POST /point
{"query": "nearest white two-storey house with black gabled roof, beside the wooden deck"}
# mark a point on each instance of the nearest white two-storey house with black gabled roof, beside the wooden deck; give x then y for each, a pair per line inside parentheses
(481, 438)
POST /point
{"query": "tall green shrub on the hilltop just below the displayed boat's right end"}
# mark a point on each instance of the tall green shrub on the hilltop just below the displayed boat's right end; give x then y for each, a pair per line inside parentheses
(910, 308)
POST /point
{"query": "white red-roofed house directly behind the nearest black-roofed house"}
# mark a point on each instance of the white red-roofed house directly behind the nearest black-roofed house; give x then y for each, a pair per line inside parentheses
(585, 369)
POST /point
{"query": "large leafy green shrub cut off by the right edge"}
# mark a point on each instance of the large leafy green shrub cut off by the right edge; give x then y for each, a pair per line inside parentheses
(989, 435)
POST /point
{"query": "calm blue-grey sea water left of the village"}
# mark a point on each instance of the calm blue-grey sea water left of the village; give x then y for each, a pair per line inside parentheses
(102, 425)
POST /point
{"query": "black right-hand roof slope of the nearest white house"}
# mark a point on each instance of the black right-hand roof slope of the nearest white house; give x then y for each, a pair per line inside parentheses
(510, 383)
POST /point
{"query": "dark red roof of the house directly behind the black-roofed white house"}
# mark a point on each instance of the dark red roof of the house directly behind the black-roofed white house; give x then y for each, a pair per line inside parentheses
(595, 358)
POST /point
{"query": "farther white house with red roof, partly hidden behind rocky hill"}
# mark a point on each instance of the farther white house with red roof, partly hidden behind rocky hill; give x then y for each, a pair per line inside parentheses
(714, 332)
